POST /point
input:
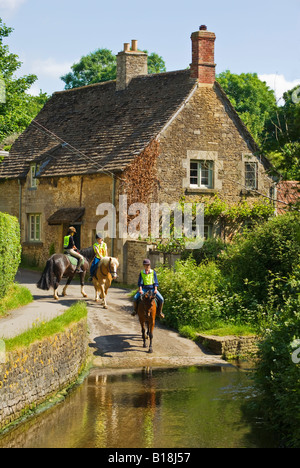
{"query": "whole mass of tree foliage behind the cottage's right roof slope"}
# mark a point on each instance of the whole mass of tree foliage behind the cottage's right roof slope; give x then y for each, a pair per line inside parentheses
(275, 128)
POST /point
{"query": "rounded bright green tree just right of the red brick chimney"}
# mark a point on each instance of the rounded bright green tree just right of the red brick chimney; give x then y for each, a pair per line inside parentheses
(253, 100)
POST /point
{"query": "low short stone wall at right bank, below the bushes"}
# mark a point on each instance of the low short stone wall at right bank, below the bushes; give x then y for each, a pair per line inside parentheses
(230, 346)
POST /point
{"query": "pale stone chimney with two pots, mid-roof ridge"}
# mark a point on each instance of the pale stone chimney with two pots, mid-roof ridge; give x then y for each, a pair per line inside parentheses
(130, 64)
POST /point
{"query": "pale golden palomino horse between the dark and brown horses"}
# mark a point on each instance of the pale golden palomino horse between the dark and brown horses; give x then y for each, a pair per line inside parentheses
(105, 274)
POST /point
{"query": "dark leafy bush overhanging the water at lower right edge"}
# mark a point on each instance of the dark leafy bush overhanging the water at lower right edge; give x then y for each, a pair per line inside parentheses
(278, 371)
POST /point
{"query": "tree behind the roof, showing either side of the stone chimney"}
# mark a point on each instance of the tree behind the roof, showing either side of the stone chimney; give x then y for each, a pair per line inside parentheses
(100, 66)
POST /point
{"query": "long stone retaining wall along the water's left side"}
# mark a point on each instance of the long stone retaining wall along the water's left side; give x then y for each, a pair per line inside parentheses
(30, 376)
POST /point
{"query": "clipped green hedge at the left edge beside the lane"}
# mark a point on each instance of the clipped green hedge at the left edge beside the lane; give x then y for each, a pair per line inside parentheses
(10, 251)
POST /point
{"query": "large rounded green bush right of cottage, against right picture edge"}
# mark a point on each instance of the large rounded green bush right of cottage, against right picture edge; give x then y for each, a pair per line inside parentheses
(270, 250)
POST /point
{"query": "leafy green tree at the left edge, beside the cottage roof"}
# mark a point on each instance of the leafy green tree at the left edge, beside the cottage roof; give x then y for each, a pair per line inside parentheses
(18, 108)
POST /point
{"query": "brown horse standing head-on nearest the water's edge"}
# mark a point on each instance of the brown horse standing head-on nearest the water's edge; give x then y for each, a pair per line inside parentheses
(147, 314)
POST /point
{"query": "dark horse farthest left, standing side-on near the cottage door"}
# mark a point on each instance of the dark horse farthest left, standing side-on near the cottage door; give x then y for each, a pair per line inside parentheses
(59, 266)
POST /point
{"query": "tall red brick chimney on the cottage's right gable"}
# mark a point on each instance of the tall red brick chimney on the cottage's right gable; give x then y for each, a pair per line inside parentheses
(203, 65)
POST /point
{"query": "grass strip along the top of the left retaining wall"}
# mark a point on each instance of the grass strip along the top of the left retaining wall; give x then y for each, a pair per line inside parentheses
(39, 331)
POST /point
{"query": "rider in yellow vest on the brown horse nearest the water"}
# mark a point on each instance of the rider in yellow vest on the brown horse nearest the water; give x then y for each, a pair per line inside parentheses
(148, 281)
